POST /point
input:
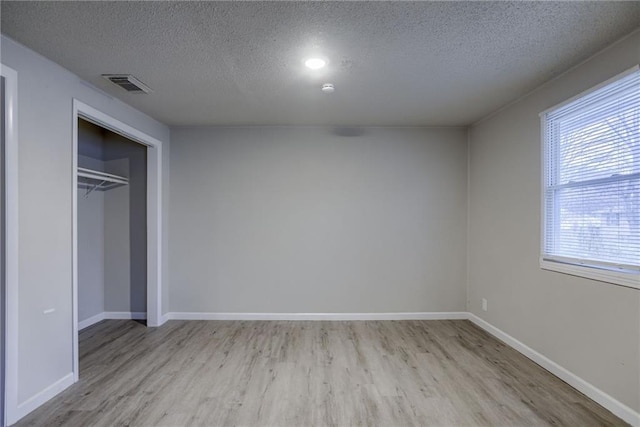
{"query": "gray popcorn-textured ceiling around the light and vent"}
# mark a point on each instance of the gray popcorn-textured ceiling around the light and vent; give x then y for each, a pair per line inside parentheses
(392, 63)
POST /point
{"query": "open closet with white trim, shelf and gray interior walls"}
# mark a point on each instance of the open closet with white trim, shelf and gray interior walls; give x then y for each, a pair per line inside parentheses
(116, 223)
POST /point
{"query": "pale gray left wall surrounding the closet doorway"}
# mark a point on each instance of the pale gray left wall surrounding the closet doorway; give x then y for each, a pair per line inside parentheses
(45, 92)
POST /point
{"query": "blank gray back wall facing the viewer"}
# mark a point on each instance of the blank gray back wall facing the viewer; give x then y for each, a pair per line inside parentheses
(313, 219)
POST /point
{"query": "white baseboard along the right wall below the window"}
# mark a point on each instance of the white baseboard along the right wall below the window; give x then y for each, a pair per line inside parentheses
(616, 407)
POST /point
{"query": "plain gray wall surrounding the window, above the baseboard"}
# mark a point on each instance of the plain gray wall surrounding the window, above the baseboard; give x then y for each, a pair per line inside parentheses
(588, 327)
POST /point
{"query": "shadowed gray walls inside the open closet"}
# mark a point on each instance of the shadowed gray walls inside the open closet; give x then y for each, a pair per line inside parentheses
(112, 231)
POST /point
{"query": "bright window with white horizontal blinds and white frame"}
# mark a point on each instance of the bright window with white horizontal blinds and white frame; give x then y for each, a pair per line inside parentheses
(591, 183)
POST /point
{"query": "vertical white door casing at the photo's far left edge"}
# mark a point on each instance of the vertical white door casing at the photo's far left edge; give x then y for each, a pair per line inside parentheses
(11, 360)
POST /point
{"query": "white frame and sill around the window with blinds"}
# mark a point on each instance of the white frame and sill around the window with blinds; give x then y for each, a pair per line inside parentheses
(603, 272)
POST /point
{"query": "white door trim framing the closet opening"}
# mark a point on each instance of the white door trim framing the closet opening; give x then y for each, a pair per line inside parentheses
(154, 213)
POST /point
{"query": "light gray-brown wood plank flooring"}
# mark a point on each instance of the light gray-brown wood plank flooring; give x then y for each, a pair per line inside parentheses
(241, 373)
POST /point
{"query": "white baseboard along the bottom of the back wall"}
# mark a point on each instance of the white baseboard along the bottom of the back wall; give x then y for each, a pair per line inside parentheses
(317, 316)
